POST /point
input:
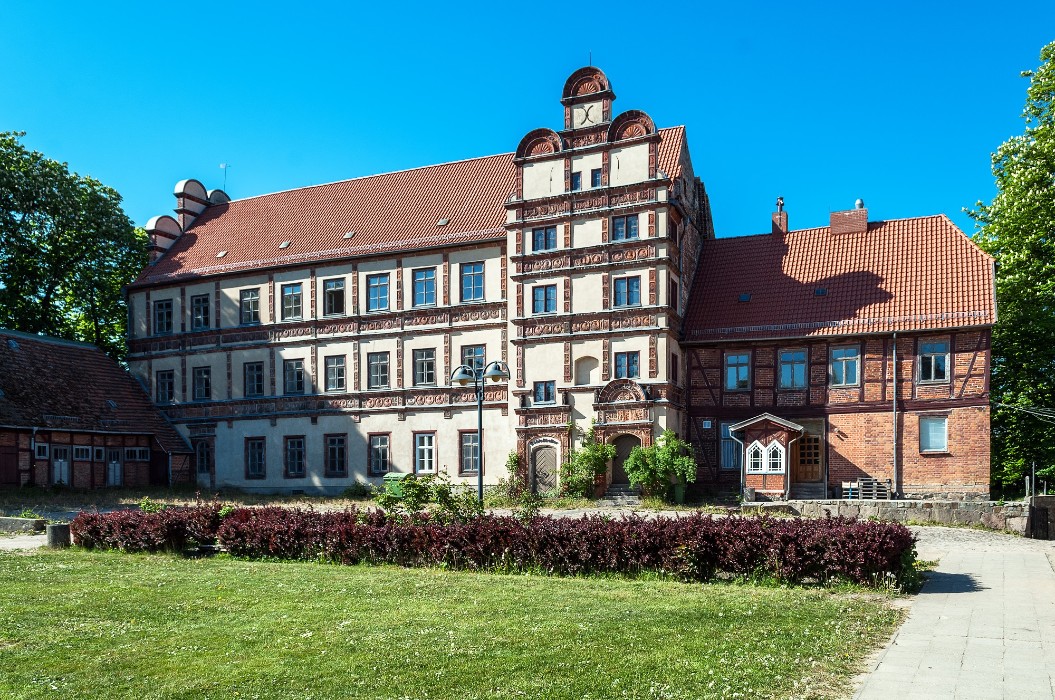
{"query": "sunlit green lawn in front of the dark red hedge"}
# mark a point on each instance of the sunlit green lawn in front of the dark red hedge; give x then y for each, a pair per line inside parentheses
(76, 625)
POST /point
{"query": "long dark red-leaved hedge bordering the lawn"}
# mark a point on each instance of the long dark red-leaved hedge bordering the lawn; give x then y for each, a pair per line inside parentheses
(695, 548)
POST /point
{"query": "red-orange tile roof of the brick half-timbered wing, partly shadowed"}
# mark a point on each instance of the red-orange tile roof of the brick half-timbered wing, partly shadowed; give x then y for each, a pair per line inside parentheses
(900, 276)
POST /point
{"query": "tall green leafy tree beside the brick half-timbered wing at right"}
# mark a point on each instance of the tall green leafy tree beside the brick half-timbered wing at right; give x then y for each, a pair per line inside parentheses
(1019, 229)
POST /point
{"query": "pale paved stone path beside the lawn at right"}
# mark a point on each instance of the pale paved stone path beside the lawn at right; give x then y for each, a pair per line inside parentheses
(984, 627)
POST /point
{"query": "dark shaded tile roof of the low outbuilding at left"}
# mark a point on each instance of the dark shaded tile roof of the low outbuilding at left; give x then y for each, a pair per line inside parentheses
(49, 383)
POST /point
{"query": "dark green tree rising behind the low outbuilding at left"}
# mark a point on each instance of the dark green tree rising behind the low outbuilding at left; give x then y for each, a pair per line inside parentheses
(67, 250)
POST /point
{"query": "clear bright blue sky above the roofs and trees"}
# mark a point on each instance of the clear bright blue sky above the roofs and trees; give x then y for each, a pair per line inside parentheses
(900, 104)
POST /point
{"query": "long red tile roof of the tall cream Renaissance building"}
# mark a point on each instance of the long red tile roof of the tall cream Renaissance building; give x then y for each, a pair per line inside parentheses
(388, 212)
